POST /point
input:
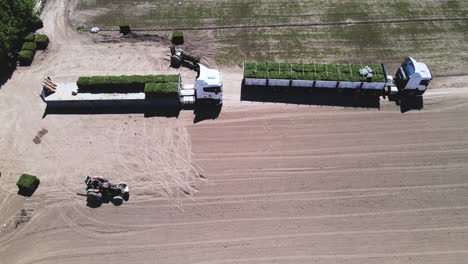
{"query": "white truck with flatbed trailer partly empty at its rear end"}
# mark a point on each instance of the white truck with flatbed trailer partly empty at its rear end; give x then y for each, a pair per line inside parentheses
(148, 91)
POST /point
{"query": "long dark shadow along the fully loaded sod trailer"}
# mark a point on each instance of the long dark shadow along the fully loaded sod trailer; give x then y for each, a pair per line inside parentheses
(322, 98)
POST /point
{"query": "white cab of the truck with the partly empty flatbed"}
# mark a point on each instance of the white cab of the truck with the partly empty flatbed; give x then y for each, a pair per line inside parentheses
(209, 86)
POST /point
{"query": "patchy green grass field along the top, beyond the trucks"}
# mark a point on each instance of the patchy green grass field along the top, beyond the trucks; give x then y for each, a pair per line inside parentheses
(439, 43)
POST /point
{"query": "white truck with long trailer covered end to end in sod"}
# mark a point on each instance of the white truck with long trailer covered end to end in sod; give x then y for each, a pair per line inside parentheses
(410, 82)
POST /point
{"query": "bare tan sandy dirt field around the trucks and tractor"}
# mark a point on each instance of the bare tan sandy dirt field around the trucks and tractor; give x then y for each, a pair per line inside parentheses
(264, 183)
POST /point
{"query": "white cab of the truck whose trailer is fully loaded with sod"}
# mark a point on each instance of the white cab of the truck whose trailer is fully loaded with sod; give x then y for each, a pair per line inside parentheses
(413, 77)
